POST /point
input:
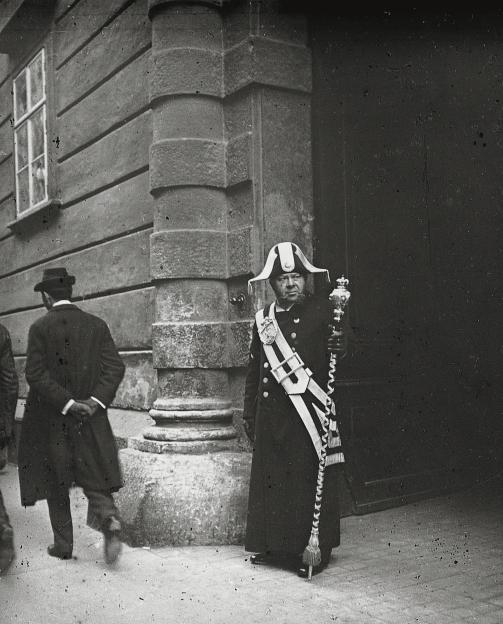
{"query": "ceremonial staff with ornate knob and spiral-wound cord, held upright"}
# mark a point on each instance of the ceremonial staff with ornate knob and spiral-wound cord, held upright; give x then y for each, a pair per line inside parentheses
(339, 298)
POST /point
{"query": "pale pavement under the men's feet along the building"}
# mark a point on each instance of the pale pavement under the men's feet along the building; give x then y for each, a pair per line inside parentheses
(438, 561)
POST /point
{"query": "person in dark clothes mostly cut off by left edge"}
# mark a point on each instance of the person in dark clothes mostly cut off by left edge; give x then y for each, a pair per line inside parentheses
(8, 401)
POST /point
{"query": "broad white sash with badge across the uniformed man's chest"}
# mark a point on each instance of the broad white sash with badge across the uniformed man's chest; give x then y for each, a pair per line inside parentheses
(308, 398)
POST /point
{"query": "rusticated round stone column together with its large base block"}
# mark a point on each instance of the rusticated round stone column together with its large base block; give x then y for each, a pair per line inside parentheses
(187, 479)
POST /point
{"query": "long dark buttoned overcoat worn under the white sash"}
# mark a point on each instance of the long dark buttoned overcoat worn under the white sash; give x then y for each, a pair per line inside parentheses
(285, 463)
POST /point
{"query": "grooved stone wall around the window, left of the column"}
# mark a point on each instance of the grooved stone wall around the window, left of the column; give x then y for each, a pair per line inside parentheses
(100, 137)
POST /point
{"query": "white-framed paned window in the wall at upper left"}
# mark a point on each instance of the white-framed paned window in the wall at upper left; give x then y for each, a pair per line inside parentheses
(30, 135)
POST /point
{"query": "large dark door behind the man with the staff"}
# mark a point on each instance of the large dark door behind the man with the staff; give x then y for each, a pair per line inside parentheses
(408, 155)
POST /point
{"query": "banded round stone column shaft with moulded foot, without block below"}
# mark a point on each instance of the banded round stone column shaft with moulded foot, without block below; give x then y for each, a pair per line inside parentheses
(188, 247)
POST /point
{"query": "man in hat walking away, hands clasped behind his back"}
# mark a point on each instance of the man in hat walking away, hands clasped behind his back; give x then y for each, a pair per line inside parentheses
(73, 370)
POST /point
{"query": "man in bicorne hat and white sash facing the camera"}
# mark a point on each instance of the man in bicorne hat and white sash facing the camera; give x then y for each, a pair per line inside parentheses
(284, 404)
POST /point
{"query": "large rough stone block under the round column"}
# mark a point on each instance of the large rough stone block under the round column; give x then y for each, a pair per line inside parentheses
(180, 499)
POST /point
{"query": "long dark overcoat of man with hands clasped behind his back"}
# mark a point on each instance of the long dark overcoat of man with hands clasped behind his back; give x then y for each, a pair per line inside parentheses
(71, 355)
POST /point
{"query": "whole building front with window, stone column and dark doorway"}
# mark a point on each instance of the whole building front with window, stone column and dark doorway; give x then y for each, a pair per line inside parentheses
(180, 140)
